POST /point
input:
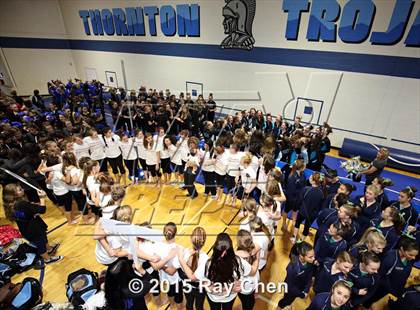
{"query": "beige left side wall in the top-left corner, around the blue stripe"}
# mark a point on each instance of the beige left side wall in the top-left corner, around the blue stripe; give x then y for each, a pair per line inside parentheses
(32, 67)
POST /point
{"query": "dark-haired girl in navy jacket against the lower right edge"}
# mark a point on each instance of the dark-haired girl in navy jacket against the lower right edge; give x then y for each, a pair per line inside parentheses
(395, 269)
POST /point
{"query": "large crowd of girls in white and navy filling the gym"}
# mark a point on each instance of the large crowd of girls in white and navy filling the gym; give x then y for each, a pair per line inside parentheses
(69, 150)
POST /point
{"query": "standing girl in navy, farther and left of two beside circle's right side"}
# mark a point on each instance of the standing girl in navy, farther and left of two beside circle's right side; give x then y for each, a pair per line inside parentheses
(295, 184)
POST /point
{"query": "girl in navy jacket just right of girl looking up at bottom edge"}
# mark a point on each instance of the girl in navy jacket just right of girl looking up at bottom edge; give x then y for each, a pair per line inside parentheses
(364, 277)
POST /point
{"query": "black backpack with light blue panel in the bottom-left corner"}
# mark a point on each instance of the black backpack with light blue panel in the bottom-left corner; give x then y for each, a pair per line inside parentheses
(28, 296)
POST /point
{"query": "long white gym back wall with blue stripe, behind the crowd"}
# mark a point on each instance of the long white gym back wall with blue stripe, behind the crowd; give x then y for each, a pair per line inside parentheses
(368, 92)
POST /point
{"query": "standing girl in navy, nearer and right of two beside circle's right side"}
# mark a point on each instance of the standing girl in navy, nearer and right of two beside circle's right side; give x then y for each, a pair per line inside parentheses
(310, 204)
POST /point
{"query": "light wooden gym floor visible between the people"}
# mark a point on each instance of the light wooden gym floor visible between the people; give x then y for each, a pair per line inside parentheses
(159, 206)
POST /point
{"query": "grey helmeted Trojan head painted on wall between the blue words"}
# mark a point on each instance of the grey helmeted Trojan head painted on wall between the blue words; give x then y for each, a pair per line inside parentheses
(238, 18)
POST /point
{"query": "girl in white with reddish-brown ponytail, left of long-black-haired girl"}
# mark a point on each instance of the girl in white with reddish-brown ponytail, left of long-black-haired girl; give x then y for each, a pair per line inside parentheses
(193, 263)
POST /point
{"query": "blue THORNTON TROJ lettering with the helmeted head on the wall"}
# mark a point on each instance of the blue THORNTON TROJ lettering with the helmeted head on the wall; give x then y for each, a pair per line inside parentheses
(328, 20)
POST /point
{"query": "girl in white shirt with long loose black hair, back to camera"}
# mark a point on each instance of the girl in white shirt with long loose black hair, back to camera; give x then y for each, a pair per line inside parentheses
(220, 276)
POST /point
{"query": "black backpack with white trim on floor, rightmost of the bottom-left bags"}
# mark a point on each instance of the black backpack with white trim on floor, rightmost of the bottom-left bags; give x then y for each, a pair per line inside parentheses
(81, 285)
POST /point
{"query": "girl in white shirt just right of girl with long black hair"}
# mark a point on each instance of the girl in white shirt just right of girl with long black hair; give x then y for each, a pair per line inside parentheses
(247, 250)
